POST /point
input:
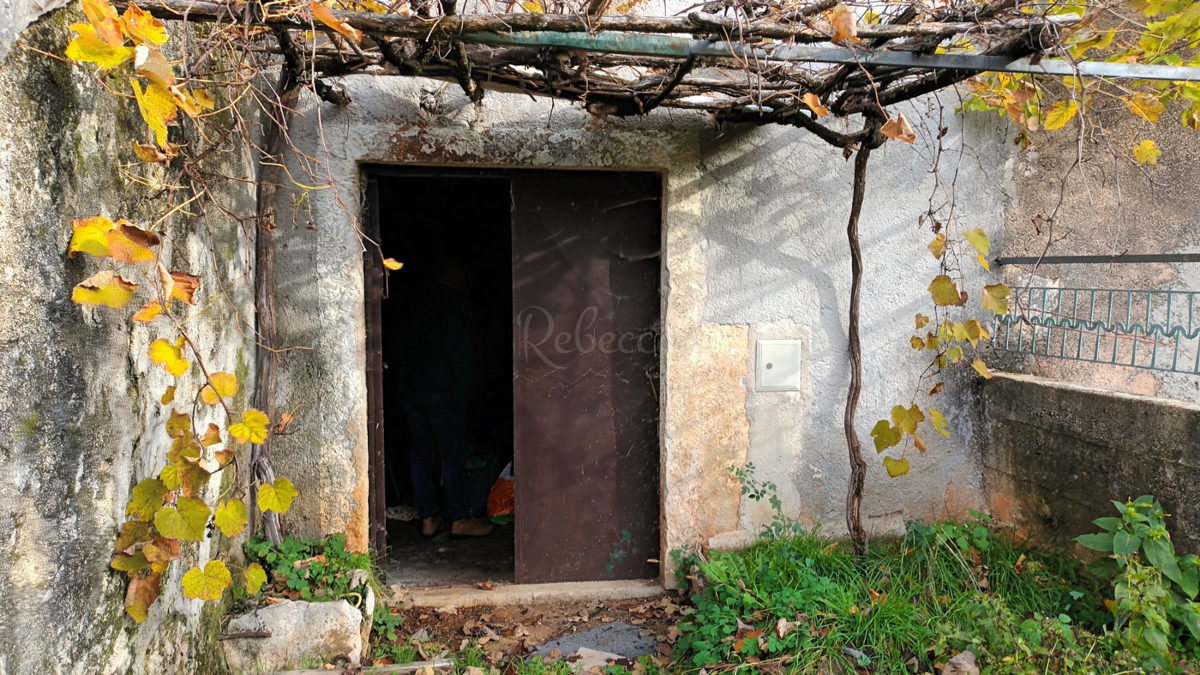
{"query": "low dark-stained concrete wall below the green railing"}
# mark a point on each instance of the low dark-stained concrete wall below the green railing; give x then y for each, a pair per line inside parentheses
(1055, 455)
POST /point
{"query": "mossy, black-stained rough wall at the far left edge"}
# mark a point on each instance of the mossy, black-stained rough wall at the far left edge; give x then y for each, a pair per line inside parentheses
(80, 419)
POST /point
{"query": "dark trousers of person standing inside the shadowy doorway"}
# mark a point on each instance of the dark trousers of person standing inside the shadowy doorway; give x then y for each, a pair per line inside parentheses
(437, 428)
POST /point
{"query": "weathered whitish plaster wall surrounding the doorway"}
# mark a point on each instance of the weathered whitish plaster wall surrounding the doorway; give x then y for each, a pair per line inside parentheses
(754, 247)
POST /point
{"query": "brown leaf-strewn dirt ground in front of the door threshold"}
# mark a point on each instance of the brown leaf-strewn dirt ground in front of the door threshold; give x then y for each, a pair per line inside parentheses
(506, 634)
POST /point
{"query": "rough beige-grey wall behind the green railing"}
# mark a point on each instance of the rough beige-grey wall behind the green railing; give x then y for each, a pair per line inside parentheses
(1109, 206)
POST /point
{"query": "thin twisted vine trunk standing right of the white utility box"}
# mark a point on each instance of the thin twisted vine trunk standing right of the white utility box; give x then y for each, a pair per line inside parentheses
(857, 464)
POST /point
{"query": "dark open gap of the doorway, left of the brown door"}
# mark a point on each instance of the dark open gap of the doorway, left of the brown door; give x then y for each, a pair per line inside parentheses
(447, 314)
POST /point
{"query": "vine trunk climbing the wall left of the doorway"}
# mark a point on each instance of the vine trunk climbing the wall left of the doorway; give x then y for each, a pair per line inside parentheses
(267, 359)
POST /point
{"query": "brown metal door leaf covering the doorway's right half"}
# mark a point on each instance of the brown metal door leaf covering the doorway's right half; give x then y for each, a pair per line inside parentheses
(586, 374)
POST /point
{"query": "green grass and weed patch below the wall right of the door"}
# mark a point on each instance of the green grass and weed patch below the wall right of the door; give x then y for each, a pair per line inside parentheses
(806, 605)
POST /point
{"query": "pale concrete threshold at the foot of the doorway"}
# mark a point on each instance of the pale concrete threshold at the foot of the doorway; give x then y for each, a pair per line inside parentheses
(533, 594)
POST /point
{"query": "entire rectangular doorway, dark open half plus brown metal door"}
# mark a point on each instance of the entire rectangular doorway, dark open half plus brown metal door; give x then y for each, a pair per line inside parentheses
(556, 278)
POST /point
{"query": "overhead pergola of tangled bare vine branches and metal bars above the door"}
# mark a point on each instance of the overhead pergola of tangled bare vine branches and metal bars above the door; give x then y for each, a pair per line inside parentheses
(748, 62)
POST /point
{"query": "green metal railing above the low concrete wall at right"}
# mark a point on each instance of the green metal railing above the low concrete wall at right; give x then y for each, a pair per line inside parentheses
(1150, 330)
